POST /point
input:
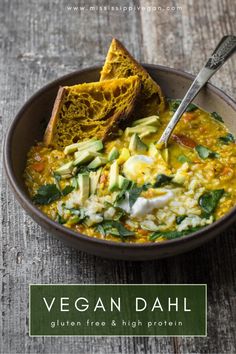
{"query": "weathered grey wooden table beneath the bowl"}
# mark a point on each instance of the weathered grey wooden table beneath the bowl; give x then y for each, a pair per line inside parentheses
(41, 40)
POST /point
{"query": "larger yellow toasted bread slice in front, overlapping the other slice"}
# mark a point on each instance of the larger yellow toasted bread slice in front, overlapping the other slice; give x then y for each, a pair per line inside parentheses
(90, 110)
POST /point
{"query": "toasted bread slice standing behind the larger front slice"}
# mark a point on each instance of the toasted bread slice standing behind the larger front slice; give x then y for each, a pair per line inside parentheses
(120, 63)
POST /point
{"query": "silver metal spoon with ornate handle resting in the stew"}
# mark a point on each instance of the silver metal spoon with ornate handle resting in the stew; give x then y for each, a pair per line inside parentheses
(225, 48)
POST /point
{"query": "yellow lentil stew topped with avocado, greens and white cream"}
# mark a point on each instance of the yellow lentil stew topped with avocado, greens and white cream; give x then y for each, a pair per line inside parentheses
(129, 190)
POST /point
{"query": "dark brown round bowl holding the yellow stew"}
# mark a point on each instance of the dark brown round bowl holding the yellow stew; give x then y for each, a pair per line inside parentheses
(29, 124)
